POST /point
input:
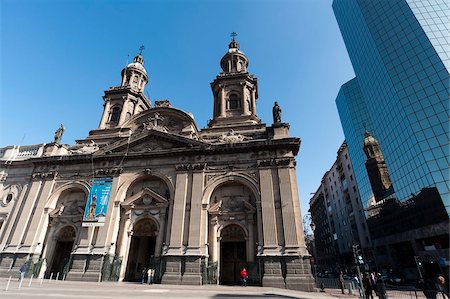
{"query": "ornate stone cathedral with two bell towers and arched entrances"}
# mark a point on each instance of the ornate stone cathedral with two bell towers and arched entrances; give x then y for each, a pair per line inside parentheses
(149, 189)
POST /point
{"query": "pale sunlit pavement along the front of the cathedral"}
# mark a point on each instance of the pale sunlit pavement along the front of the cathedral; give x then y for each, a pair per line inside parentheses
(114, 290)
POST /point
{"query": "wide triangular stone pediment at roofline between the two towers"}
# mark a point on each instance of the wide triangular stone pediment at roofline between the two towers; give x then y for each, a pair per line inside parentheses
(149, 141)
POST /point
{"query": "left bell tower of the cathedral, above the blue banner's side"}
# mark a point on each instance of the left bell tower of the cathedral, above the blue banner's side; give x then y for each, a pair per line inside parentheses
(128, 99)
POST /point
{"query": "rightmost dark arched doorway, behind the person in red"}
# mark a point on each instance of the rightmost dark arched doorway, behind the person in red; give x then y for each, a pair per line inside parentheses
(233, 254)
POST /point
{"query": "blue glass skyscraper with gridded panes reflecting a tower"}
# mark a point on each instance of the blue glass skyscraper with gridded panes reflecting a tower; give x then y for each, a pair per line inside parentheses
(400, 52)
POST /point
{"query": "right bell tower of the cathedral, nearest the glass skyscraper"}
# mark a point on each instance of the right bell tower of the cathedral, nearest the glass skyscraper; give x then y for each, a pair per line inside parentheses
(235, 91)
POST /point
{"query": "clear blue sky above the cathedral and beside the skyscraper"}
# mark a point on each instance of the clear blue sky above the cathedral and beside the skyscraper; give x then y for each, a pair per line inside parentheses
(57, 58)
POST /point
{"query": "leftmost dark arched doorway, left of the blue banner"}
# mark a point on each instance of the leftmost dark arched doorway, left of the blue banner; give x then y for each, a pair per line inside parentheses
(63, 249)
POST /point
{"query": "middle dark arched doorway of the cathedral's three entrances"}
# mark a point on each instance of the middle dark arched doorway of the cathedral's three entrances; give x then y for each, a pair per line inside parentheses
(142, 247)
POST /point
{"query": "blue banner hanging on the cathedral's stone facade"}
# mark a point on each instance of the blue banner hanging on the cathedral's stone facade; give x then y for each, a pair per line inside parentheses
(97, 204)
